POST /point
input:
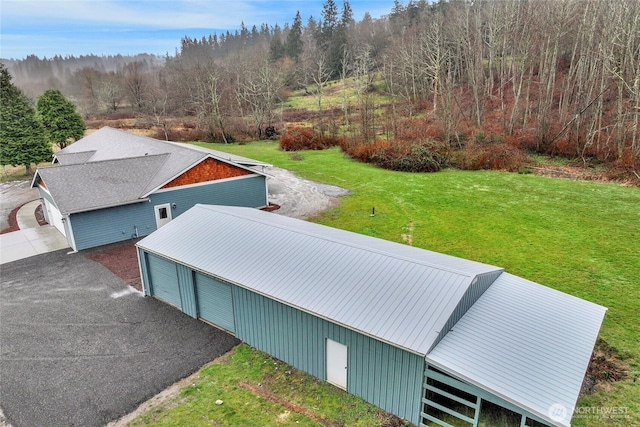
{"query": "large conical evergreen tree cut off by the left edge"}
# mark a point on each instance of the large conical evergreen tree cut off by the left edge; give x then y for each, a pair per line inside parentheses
(22, 136)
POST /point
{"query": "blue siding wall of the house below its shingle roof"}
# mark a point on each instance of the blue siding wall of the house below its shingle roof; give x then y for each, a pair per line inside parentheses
(104, 226)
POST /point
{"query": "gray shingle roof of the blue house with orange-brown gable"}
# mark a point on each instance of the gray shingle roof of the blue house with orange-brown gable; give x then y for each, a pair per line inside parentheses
(111, 167)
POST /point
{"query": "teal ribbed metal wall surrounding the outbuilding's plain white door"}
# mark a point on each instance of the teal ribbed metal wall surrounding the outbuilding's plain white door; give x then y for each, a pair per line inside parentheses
(384, 375)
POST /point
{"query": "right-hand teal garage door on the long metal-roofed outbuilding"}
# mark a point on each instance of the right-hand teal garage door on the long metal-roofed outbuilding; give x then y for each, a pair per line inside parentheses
(215, 303)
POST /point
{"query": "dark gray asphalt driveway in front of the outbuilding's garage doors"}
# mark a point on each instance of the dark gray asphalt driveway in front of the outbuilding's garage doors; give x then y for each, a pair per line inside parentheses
(79, 347)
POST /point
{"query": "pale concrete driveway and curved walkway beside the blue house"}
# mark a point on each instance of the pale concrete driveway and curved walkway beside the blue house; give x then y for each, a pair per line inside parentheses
(32, 239)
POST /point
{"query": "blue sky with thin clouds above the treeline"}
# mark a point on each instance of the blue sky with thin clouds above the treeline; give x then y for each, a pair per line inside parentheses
(107, 27)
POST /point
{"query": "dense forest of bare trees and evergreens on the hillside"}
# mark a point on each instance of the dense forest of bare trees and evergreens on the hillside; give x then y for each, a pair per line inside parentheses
(555, 77)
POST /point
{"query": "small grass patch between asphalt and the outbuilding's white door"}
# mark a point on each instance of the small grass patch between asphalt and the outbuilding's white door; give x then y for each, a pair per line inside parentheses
(258, 390)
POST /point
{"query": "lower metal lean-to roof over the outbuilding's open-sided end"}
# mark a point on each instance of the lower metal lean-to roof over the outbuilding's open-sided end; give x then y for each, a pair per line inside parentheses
(526, 343)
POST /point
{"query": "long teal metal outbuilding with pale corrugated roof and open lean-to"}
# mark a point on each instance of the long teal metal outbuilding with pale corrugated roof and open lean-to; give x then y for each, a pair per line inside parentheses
(428, 337)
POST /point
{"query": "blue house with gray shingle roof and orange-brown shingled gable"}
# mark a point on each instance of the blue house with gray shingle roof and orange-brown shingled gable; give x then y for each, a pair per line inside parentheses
(113, 185)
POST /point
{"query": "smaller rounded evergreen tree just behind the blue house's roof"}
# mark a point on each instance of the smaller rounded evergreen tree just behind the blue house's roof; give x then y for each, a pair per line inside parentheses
(62, 123)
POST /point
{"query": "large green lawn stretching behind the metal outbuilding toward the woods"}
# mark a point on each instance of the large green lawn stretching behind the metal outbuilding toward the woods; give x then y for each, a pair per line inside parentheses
(582, 238)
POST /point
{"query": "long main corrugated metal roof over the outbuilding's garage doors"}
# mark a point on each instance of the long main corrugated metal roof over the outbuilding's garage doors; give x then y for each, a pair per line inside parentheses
(382, 289)
